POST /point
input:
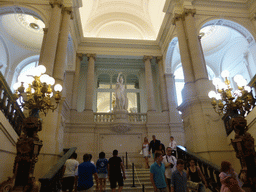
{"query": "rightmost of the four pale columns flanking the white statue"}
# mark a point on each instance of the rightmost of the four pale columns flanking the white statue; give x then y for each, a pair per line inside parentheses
(162, 84)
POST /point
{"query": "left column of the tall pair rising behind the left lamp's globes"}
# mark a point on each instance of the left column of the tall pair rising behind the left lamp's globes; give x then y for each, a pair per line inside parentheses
(48, 55)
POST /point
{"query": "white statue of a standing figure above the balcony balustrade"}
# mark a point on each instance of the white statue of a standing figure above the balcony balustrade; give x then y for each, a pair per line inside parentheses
(121, 100)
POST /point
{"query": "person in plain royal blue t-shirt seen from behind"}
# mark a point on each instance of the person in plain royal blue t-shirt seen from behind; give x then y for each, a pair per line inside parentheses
(85, 172)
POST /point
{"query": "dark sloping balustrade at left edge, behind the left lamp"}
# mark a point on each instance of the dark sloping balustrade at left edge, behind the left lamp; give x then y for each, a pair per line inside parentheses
(9, 106)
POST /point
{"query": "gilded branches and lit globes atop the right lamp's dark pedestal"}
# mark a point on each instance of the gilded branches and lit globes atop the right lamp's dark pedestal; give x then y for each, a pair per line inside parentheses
(224, 99)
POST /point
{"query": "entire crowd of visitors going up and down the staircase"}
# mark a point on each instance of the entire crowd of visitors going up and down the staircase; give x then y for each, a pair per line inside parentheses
(166, 173)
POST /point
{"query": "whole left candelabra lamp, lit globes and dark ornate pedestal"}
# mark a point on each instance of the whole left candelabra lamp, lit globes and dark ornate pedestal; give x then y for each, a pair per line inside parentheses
(34, 94)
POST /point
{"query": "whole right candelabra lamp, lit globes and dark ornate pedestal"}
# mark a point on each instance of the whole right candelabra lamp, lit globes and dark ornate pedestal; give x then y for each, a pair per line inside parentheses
(234, 105)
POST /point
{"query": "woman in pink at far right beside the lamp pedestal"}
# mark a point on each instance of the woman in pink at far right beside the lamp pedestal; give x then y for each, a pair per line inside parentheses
(229, 179)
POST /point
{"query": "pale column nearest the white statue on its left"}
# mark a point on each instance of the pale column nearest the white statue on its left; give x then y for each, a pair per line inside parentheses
(90, 82)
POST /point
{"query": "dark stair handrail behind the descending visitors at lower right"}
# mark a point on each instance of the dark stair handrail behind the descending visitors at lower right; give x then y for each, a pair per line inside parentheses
(210, 171)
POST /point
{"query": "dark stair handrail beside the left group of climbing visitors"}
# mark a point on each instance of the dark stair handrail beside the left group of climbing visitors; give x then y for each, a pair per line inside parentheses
(50, 182)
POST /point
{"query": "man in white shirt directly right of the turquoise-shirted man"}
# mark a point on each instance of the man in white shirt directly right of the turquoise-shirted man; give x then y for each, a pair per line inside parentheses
(170, 166)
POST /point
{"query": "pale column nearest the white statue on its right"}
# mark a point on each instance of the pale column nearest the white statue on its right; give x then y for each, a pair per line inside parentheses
(149, 84)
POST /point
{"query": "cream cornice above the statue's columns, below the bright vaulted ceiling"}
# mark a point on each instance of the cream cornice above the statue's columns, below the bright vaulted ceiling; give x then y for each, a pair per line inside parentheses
(102, 46)
